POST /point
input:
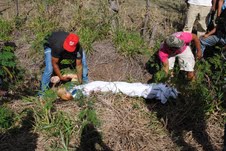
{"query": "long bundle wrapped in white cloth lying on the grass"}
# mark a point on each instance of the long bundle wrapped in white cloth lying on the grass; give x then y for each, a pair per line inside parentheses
(160, 91)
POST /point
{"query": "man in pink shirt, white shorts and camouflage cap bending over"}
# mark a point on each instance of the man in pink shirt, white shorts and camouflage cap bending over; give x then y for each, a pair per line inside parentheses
(177, 46)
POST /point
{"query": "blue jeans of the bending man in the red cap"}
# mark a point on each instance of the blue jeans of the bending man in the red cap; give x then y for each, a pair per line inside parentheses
(49, 70)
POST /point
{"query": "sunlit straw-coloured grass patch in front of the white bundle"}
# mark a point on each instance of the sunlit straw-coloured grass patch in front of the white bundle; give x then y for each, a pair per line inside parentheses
(126, 127)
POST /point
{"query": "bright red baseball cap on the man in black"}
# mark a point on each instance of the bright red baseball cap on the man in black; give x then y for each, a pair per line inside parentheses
(70, 42)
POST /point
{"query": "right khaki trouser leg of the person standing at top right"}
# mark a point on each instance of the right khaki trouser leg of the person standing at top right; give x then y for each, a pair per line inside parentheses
(203, 14)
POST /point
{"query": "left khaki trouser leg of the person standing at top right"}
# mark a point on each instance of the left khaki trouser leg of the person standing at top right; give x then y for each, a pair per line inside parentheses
(192, 13)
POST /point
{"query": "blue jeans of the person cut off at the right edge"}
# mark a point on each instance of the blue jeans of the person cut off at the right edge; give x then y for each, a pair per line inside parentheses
(211, 41)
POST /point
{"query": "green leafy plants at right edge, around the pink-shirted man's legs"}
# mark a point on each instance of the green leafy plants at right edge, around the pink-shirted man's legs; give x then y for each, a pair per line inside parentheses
(208, 85)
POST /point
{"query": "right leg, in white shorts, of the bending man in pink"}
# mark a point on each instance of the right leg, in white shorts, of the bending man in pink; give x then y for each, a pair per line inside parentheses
(187, 62)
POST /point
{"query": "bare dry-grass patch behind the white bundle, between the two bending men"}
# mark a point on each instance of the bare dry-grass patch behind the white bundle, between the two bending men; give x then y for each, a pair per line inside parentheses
(107, 65)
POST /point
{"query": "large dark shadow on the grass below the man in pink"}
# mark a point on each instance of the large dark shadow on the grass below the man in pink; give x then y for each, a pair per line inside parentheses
(184, 116)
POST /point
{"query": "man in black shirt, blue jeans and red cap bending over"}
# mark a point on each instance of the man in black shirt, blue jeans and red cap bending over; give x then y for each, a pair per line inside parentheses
(62, 45)
